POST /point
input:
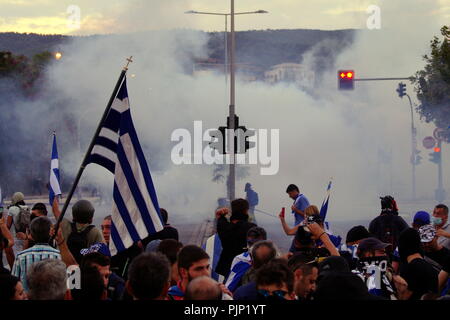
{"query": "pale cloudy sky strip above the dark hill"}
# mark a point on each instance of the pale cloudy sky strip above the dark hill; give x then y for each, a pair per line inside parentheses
(122, 16)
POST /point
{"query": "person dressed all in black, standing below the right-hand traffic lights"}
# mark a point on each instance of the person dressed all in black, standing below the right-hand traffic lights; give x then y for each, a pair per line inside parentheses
(388, 225)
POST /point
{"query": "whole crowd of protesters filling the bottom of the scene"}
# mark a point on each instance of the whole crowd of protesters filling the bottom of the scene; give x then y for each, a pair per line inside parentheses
(389, 260)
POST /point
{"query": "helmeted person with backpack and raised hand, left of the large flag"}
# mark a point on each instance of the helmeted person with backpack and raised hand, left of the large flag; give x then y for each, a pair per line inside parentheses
(79, 233)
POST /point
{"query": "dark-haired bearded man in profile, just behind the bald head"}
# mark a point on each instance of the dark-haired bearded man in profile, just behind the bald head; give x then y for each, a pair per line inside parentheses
(193, 262)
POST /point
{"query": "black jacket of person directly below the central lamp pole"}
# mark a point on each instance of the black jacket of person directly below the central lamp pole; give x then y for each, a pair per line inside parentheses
(234, 241)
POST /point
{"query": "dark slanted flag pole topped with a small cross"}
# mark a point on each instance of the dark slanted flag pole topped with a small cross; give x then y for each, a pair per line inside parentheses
(91, 146)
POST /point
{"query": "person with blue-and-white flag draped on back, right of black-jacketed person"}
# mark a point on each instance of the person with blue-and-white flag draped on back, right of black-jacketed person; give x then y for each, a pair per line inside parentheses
(241, 263)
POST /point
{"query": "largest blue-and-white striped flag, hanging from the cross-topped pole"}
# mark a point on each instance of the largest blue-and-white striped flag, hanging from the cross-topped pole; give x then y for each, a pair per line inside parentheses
(135, 212)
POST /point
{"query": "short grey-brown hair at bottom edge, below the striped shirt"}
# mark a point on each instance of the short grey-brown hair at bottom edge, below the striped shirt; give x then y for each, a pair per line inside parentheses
(47, 280)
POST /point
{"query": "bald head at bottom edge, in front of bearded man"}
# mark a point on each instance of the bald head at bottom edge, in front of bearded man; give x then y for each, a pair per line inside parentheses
(203, 288)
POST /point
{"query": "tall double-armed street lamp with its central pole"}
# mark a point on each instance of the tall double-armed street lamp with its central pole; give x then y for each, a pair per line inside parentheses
(232, 174)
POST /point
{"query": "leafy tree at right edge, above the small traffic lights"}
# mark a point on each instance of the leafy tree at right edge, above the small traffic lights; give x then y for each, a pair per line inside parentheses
(432, 84)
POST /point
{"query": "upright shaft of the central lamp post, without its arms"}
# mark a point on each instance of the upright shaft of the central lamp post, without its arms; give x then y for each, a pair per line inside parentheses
(232, 176)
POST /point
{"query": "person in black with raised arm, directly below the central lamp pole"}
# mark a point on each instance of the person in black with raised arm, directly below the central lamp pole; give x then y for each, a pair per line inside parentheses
(233, 234)
